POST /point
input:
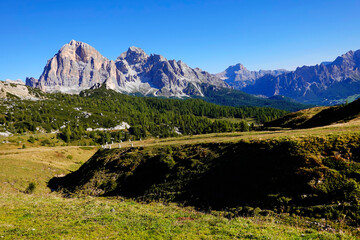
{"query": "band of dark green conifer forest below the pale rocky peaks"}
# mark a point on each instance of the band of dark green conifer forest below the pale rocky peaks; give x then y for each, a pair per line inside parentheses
(72, 115)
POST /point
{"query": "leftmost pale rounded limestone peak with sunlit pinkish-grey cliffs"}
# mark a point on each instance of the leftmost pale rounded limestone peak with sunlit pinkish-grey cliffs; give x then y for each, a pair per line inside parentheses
(75, 67)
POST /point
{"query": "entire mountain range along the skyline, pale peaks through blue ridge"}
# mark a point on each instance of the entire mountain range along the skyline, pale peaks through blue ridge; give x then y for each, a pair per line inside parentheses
(78, 66)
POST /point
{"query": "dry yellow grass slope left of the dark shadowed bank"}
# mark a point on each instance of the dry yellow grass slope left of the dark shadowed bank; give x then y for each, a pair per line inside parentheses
(19, 166)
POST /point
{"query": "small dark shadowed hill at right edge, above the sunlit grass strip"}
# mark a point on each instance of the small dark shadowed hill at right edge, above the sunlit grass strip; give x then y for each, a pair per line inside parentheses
(319, 116)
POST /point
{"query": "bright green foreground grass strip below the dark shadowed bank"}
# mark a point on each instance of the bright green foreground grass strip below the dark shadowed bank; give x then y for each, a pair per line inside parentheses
(52, 217)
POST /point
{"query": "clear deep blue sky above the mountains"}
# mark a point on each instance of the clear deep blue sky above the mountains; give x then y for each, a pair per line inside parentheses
(212, 34)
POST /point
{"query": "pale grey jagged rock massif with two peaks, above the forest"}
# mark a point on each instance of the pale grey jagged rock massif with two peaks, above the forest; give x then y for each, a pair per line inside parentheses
(78, 66)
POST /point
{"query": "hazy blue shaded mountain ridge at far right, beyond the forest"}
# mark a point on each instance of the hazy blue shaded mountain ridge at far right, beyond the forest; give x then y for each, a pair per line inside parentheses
(327, 83)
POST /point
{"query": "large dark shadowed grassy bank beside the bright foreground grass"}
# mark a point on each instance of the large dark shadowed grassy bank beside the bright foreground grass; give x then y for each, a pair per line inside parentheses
(314, 176)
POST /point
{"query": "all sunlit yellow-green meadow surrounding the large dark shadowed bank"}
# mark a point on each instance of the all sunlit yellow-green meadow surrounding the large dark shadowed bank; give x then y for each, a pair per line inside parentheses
(43, 214)
